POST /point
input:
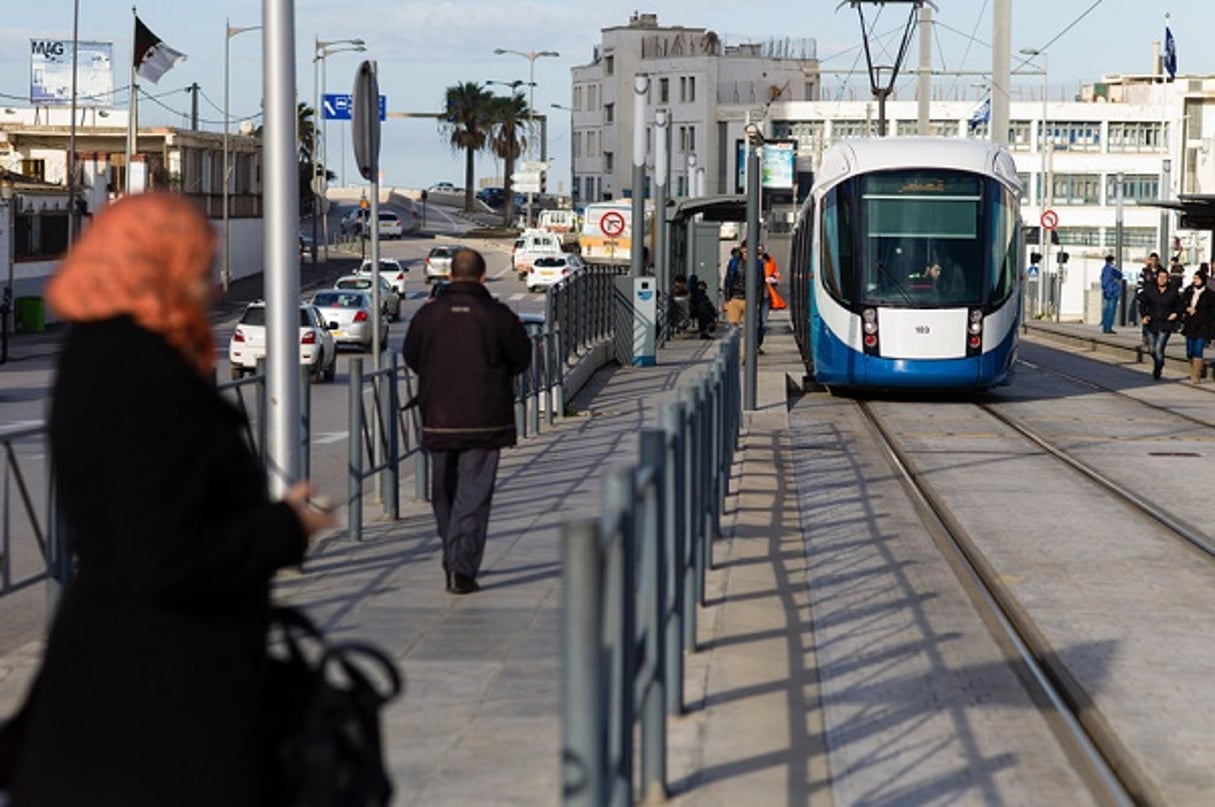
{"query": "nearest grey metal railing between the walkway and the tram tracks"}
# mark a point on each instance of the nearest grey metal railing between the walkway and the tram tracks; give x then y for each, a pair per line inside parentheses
(632, 583)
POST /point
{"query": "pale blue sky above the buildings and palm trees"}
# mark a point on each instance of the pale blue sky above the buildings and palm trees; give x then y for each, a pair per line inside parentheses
(423, 48)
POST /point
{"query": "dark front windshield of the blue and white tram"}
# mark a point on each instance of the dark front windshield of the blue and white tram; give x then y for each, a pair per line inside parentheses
(922, 239)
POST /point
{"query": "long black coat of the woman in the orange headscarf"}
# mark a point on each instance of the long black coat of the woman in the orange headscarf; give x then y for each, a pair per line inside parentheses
(154, 674)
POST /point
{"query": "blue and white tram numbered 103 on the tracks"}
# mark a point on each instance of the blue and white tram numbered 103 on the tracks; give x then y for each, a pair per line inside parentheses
(906, 264)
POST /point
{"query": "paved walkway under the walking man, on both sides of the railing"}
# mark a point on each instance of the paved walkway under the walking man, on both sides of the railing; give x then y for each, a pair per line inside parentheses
(481, 720)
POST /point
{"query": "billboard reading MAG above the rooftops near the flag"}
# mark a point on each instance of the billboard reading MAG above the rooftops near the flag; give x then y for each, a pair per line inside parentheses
(50, 74)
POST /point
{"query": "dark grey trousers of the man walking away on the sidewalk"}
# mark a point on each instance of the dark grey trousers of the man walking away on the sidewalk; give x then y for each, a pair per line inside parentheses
(461, 496)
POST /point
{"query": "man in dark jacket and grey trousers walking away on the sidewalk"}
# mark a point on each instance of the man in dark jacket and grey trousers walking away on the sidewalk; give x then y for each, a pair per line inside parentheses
(467, 348)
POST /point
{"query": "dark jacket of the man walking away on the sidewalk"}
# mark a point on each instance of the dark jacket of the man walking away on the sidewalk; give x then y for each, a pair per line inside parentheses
(466, 348)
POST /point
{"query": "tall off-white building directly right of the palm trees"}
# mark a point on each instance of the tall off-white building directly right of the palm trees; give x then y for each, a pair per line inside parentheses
(693, 75)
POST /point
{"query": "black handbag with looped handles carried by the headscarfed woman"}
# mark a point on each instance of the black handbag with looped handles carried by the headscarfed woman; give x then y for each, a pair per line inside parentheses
(326, 703)
